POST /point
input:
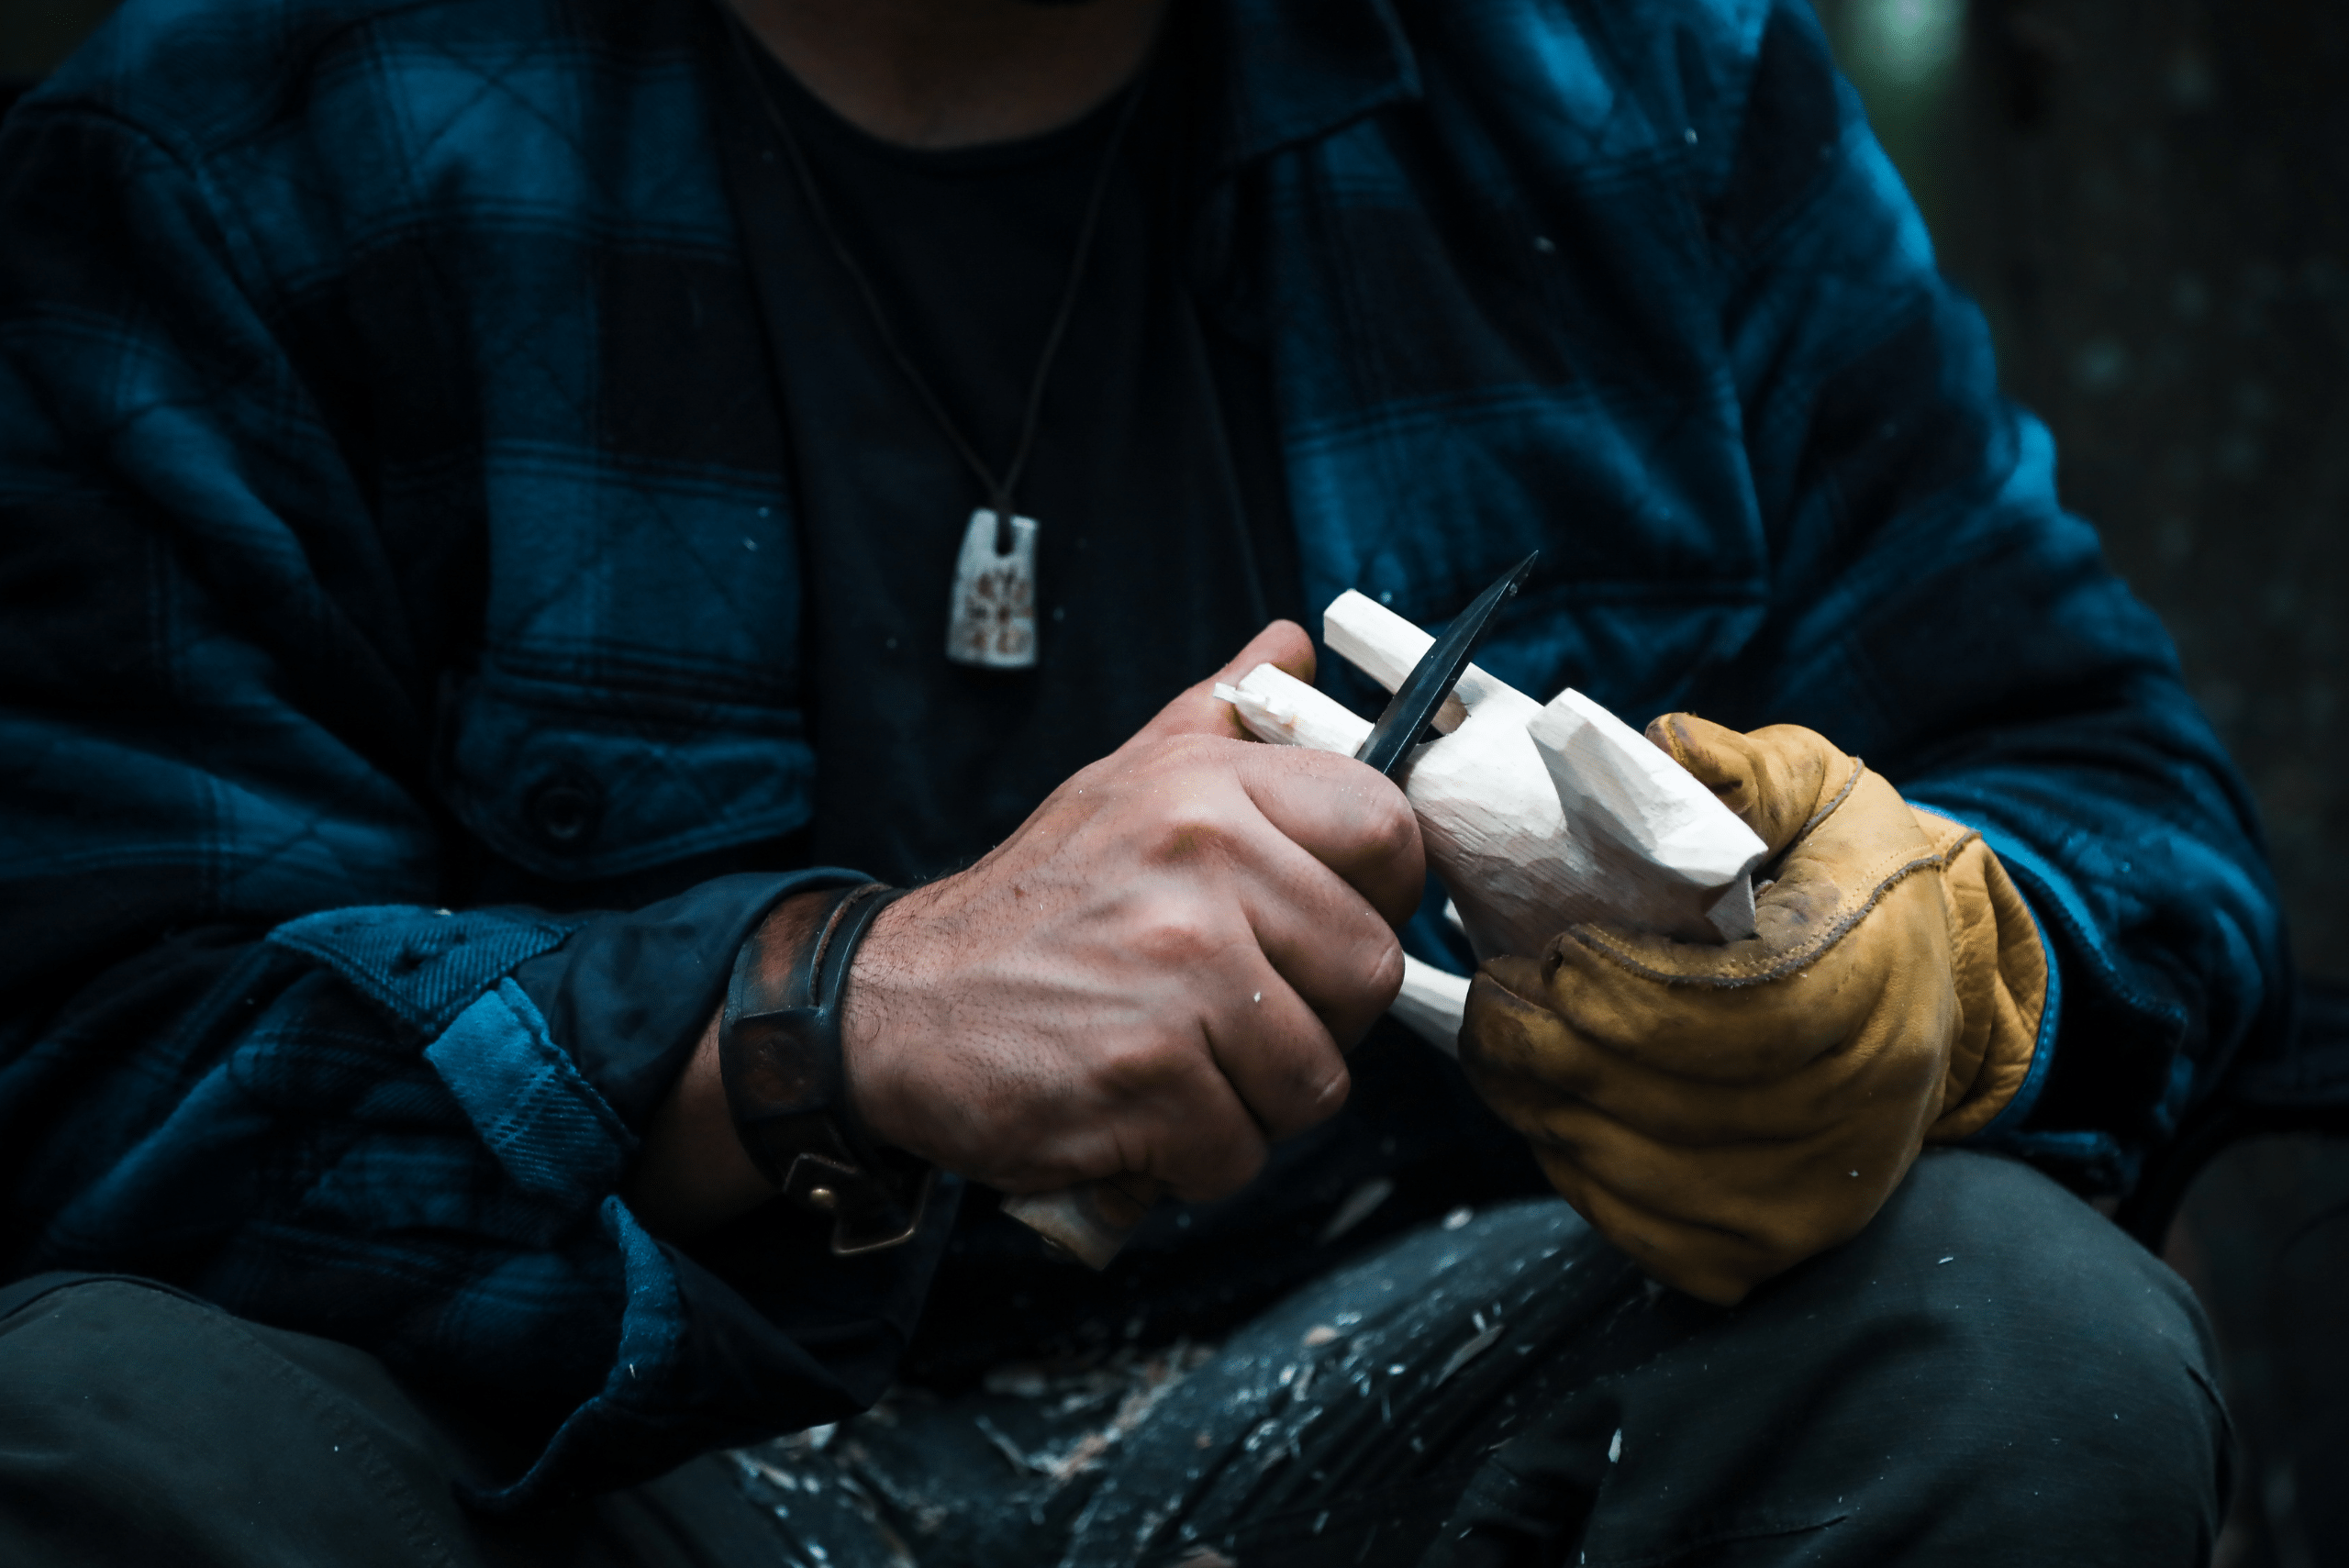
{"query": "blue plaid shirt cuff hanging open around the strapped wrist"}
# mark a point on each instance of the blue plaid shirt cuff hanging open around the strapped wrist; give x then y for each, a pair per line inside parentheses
(741, 1334)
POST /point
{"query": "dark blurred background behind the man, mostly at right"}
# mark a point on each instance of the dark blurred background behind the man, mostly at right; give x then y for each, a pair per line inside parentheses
(2151, 201)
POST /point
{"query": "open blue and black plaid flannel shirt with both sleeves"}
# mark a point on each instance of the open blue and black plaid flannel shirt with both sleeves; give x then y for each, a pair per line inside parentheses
(377, 611)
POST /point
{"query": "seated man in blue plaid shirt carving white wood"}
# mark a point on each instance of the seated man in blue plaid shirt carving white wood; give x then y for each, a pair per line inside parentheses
(612, 614)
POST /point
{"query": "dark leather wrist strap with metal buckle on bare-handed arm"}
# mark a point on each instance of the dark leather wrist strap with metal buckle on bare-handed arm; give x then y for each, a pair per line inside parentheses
(786, 1086)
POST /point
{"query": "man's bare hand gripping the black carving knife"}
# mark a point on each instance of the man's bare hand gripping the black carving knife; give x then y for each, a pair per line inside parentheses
(1155, 975)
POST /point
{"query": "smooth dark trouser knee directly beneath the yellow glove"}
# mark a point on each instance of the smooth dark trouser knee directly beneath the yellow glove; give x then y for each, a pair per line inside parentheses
(1986, 1374)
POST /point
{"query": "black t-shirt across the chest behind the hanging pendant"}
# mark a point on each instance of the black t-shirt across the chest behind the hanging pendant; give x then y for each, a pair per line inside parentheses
(1152, 529)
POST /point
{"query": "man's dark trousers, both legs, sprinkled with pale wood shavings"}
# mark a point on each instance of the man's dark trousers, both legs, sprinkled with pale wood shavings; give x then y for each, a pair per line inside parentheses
(1991, 1374)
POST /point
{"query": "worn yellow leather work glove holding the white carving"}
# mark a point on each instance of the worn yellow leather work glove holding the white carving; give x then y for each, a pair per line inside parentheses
(1725, 1111)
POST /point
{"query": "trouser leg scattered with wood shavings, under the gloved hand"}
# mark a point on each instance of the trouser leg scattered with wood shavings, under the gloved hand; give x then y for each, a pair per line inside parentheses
(1988, 1374)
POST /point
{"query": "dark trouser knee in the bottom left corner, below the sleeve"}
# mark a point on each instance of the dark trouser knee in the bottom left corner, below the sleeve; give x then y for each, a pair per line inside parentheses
(142, 1426)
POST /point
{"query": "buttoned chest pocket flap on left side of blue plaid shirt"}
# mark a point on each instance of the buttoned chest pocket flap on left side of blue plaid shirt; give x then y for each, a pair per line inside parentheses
(579, 783)
